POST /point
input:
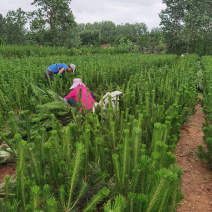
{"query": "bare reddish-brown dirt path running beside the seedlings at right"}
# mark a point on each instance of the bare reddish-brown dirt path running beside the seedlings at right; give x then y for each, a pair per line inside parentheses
(196, 178)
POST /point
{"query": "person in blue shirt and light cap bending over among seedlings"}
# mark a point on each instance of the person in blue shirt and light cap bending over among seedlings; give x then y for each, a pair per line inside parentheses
(58, 69)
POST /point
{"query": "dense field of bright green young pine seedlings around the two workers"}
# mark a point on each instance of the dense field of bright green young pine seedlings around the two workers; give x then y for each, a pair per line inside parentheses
(111, 160)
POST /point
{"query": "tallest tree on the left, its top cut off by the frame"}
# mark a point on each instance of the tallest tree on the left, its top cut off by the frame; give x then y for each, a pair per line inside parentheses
(56, 17)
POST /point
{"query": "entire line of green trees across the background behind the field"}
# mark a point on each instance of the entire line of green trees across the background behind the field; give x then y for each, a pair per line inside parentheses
(186, 26)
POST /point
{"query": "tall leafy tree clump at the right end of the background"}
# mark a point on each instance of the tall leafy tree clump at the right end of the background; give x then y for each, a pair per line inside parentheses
(186, 26)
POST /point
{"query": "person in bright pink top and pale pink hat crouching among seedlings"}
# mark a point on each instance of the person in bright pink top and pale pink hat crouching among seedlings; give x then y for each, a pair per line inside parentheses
(73, 97)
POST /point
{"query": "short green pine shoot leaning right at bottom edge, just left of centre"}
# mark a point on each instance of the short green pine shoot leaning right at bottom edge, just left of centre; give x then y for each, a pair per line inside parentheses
(102, 194)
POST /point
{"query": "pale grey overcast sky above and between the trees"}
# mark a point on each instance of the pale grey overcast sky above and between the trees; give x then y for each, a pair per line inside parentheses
(90, 11)
